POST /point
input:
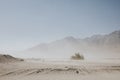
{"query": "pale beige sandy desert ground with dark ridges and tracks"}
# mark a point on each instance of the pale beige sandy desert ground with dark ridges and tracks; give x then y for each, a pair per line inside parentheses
(60, 70)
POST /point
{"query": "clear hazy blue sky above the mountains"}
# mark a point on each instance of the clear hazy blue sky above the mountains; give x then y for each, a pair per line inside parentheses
(25, 23)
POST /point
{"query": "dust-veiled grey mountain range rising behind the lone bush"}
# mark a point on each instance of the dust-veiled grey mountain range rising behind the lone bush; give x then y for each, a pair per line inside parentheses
(96, 46)
